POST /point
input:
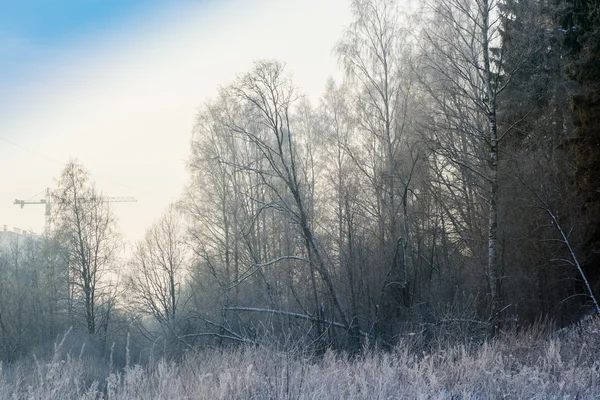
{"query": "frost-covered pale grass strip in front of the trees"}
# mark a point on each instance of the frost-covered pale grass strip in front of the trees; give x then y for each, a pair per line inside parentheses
(531, 364)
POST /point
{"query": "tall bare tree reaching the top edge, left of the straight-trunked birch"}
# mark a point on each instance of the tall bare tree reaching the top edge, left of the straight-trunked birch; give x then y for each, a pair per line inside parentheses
(376, 56)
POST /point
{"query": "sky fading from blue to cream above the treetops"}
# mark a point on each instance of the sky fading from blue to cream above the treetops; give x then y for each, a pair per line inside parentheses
(116, 84)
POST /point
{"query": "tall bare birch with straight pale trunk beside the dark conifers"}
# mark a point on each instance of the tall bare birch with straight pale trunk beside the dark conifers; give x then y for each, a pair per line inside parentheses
(464, 70)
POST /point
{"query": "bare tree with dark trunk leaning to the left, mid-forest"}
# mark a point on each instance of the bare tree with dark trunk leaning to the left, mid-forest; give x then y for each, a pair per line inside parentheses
(266, 95)
